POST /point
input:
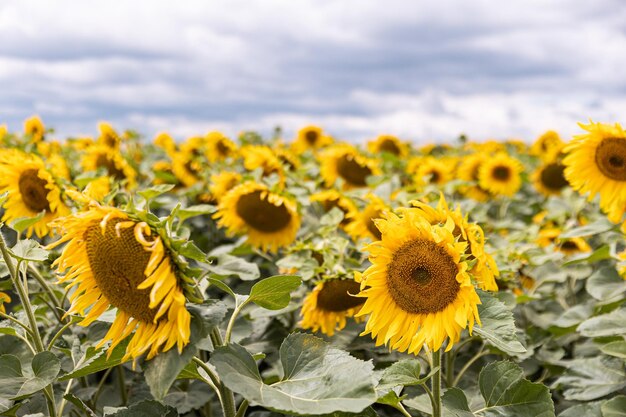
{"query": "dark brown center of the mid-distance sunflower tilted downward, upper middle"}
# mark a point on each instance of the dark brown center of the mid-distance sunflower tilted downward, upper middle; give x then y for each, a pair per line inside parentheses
(262, 215)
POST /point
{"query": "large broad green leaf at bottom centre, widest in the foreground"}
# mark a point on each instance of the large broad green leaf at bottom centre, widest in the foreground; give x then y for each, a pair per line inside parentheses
(318, 379)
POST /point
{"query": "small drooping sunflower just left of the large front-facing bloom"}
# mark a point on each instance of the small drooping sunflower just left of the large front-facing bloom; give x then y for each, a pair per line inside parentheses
(329, 304)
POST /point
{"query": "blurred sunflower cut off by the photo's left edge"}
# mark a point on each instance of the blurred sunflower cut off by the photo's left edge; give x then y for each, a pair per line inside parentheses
(32, 190)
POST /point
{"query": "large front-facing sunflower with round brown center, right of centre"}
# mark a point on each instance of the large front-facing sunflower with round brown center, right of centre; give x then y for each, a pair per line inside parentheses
(418, 290)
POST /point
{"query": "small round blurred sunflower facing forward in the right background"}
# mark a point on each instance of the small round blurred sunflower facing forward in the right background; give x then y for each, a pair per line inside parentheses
(500, 175)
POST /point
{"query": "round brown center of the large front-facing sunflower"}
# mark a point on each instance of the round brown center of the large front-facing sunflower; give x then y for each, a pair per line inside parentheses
(421, 277)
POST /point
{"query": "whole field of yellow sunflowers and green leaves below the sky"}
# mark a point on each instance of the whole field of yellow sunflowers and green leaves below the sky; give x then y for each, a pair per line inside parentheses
(309, 276)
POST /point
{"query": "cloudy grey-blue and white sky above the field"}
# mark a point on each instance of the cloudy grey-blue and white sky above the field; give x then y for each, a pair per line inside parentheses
(421, 70)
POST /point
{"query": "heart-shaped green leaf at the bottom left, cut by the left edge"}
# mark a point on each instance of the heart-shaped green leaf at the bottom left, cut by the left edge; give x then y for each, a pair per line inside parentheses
(18, 381)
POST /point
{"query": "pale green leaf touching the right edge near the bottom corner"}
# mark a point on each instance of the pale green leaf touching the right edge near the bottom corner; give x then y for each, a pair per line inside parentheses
(592, 378)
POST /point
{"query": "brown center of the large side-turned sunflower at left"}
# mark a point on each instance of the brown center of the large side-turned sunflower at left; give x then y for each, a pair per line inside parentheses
(118, 265)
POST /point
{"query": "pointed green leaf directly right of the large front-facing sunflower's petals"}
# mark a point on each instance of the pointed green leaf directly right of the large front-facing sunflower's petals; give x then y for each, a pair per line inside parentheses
(498, 326)
